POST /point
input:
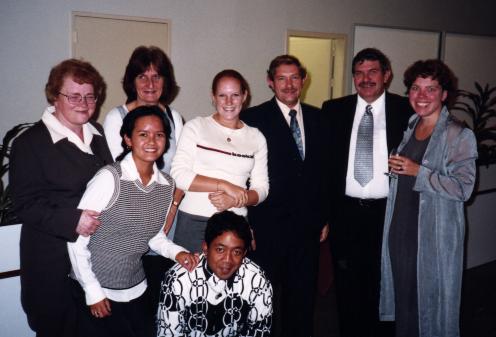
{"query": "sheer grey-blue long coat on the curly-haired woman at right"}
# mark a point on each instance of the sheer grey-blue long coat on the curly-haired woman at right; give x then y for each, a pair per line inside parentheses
(445, 181)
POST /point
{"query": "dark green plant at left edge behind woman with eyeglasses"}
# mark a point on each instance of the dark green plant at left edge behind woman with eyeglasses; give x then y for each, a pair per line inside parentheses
(6, 214)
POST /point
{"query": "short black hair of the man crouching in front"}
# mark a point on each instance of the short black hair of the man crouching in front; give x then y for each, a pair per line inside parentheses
(228, 221)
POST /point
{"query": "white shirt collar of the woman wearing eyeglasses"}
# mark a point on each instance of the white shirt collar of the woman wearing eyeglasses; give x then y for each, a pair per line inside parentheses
(58, 131)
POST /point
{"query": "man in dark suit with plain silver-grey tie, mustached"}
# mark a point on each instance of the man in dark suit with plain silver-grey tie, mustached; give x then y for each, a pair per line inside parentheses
(355, 187)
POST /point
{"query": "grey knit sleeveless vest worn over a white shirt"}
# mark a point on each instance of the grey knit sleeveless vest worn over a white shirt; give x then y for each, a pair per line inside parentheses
(133, 216)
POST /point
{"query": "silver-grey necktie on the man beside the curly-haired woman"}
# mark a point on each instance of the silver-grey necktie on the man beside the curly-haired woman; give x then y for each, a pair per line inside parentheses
(364, 156)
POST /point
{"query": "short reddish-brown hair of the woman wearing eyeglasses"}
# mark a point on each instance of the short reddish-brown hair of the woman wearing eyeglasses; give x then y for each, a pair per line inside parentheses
(81, 72)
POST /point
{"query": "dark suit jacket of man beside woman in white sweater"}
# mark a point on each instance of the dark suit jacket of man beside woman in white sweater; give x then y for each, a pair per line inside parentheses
(292, 207)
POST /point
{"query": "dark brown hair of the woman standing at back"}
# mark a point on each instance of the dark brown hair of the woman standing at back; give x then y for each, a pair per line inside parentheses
(139, 62)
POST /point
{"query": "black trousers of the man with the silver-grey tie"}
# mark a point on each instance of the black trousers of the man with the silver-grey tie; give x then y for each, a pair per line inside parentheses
(355, 242)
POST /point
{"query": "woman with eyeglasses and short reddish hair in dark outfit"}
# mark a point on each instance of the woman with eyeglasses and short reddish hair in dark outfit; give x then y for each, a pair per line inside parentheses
(50, 165)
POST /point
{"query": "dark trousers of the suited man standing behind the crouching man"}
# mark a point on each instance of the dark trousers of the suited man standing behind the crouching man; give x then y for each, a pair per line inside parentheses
(291, 266)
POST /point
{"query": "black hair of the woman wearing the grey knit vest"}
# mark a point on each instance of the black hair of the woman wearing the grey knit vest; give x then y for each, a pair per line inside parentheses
(129, 122)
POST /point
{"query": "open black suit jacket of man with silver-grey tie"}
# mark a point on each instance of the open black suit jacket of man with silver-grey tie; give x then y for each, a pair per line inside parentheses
(337, 122)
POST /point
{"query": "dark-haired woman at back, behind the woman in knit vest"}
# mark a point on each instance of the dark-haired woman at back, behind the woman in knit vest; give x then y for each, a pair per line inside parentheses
(149, 80)
